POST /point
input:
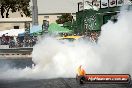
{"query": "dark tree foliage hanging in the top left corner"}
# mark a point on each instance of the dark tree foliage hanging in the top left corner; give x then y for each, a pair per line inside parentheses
(14, 5)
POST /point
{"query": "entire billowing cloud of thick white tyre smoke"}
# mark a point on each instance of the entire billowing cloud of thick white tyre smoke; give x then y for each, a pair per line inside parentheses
(54, 58)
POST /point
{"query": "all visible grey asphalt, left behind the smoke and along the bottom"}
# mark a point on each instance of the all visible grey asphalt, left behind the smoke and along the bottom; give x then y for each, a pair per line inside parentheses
(47, 83)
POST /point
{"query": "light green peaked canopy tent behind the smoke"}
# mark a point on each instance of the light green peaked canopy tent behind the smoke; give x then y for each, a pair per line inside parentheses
(55, 28)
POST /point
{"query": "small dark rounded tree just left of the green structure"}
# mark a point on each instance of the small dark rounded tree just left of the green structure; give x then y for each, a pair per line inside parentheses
(65, 17)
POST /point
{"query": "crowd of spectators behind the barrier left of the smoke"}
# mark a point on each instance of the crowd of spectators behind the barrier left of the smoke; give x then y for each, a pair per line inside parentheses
(15, 42)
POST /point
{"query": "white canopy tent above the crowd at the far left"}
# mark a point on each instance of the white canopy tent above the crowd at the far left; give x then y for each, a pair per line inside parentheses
(11, 32)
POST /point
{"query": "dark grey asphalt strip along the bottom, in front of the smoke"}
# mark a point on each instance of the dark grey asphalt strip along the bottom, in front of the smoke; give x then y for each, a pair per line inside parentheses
(55, 83)
